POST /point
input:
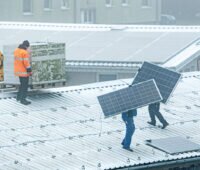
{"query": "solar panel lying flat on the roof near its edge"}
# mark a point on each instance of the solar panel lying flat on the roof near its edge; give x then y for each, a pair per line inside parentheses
(180, 145)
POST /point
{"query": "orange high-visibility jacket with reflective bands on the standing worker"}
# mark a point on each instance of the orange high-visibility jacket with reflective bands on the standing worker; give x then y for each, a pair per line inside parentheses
(21, 62)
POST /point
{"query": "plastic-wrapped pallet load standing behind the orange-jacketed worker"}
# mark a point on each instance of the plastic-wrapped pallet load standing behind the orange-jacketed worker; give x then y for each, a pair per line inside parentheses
(47, 61)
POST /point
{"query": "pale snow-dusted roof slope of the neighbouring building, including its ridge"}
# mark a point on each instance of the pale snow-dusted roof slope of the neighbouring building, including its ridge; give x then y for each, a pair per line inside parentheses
(103, 43)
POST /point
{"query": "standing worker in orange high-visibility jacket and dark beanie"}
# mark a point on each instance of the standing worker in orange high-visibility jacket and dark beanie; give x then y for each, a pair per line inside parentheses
(22, 69)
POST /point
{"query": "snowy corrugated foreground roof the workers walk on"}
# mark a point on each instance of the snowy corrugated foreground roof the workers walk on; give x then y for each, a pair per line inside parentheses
(64, 128)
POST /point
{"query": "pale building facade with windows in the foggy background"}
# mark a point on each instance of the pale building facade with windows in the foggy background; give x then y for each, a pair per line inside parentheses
(82, 11)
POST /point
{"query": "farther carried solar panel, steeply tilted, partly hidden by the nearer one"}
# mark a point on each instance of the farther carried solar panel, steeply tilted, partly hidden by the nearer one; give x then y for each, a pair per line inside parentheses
(165, 79)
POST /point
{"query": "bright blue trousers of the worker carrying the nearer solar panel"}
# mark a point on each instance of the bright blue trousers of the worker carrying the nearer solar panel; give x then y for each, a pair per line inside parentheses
(130, 129)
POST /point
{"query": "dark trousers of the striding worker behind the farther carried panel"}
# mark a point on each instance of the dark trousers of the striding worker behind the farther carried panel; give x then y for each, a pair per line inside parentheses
(154, 112)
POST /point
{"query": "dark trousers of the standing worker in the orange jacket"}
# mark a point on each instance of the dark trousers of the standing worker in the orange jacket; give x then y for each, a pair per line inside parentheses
(23, 88)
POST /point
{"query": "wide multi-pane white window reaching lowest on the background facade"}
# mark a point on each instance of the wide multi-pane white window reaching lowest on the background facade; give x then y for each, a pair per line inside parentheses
(88, 16)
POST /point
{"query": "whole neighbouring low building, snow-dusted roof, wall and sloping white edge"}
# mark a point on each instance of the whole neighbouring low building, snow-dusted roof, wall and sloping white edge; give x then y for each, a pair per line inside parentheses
(106, 52)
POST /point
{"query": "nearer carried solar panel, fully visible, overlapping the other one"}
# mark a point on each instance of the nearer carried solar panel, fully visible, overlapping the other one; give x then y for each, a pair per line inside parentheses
(132, 97)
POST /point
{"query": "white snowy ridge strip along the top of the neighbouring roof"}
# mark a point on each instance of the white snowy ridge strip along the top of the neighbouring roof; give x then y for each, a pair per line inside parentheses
(96, 27)
